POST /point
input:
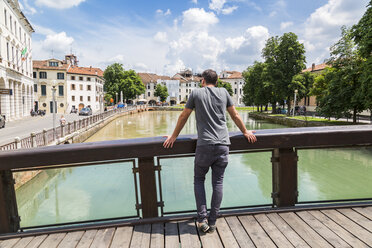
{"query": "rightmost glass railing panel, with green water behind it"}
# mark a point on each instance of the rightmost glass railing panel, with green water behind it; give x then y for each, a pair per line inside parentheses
(335, 174)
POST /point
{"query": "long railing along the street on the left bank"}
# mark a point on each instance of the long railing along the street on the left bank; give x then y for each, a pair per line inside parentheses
(47, 137)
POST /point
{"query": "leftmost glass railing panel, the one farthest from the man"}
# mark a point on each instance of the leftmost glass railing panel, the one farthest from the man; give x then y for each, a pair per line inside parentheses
(76, 194)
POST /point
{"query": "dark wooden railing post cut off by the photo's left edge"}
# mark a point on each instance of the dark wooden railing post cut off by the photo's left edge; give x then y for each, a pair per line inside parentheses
(9, 218)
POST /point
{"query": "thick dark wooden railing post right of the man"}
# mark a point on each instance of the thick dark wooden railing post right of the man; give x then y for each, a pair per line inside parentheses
(284, 173)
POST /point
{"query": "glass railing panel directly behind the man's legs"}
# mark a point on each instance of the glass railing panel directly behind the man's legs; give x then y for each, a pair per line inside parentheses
(247, 182)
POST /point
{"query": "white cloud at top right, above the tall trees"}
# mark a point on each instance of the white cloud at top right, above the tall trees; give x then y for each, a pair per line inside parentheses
(322, 28)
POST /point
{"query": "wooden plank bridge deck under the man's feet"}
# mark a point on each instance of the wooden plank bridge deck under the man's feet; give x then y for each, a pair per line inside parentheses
(346, 227)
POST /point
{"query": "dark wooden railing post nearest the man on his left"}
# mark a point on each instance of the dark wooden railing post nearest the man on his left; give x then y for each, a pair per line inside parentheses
(149, 200)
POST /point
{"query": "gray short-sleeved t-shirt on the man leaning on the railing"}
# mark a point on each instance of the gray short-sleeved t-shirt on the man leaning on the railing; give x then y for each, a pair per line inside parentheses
(210, 105)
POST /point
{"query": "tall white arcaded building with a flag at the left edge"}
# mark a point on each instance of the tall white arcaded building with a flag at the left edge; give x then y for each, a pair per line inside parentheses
(17, 98)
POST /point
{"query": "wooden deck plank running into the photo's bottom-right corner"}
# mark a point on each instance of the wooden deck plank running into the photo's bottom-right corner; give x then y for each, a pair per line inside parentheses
(350, 225)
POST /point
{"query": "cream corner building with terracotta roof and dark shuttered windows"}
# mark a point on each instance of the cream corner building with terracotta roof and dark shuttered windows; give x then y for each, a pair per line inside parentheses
(75, 87)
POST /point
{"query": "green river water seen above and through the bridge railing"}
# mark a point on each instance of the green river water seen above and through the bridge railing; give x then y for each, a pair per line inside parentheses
(107, 191)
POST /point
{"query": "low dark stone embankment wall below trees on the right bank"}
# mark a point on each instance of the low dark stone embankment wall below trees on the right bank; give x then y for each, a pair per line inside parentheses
(287, 121)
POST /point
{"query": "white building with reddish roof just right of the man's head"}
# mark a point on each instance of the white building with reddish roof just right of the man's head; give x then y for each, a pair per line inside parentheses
(237, 82)
